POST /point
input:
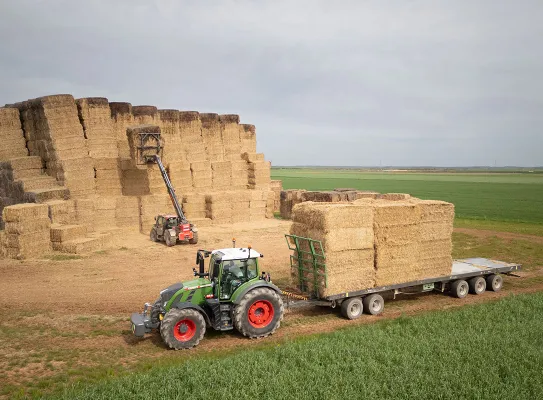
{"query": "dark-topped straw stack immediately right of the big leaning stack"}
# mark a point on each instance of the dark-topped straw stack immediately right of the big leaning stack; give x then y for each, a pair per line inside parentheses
(95, 116)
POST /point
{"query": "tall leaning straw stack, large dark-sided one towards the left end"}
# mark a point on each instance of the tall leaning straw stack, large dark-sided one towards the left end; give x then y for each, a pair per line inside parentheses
(54, 133)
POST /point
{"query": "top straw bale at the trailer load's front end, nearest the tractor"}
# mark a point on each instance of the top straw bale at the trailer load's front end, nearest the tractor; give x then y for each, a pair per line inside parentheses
(325, 216)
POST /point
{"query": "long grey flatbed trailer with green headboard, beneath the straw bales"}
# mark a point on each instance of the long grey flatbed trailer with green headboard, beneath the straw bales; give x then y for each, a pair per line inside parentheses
(470, 275)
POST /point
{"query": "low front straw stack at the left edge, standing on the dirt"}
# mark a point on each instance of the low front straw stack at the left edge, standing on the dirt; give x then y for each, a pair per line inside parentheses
(27, 231)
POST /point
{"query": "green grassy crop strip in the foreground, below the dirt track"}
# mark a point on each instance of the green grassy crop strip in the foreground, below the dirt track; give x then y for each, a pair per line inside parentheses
(488, 351)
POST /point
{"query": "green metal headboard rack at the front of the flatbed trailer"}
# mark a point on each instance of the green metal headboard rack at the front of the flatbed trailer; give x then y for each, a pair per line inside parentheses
(308, 262)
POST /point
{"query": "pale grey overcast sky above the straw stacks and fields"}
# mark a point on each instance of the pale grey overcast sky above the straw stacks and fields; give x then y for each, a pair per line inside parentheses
(444, 83)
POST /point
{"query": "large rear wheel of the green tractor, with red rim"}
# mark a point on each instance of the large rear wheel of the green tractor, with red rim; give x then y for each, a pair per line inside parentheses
(252, 315)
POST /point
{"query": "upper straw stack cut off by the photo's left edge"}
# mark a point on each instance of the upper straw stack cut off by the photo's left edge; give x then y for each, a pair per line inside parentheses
(11, 135)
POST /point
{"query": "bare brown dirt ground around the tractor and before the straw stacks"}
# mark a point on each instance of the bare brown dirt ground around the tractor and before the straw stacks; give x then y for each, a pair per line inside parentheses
(62, 318)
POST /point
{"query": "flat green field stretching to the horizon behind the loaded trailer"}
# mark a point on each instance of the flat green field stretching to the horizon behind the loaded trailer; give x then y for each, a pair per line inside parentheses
(481, 196)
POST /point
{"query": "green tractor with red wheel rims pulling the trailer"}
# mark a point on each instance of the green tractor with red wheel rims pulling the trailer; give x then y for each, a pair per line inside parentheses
(233, 293)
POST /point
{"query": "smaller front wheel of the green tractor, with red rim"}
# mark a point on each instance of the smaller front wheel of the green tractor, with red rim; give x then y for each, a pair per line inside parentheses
(173, 324)
